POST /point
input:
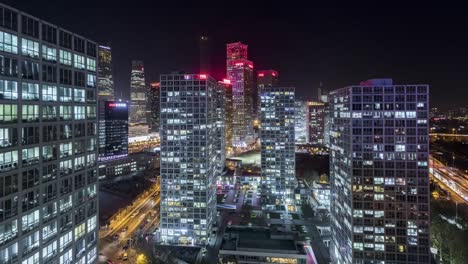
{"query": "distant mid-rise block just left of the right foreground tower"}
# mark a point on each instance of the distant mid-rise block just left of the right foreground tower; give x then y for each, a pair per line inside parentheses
(316, 122)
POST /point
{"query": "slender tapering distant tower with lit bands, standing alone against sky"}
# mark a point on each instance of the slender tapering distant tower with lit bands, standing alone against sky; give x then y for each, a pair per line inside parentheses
(138, 124)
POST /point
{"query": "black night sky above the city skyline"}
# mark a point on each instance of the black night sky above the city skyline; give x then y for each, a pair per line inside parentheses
(338, 45)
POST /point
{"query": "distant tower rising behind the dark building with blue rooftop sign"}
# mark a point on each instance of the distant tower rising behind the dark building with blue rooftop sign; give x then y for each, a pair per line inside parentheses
(105, 76)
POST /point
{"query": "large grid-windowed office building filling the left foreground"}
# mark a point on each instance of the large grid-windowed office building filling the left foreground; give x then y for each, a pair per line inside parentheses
(48, 142)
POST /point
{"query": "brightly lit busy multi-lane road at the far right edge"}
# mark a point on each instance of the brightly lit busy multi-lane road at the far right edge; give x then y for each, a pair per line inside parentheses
(453, 179)
